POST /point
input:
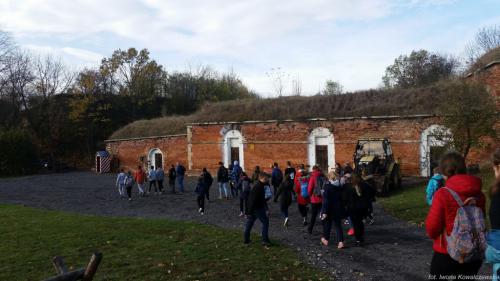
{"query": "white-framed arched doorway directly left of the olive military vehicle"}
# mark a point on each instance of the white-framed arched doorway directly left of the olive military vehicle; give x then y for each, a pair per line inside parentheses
(321, 149)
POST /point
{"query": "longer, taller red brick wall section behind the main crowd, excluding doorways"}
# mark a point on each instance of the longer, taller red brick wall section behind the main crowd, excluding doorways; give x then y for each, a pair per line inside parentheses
(266, 143)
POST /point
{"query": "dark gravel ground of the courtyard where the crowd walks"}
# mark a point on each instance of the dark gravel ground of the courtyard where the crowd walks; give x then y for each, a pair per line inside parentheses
(394, 250)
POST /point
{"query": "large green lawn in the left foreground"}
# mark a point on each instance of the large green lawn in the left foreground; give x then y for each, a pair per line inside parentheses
(137, 249)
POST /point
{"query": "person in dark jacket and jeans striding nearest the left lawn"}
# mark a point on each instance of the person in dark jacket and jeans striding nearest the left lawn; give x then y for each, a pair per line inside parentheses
(257, 209)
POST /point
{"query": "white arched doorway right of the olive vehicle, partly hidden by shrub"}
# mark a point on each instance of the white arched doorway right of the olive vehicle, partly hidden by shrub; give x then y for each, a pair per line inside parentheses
(433, 143)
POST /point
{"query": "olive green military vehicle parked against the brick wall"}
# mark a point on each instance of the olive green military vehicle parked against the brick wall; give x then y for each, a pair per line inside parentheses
(374, 157)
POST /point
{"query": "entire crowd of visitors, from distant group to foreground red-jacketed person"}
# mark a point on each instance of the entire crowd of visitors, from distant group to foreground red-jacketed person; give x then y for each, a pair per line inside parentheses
(455, 222)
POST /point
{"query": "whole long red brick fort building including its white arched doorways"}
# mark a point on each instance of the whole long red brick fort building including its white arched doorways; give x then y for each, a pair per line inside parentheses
(306, 141)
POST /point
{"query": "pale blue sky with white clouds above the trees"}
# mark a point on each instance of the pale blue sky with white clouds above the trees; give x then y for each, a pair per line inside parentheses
(311, 41)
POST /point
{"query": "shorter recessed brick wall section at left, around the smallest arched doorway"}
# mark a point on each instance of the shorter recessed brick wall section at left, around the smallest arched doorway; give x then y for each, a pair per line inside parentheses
(128, 152)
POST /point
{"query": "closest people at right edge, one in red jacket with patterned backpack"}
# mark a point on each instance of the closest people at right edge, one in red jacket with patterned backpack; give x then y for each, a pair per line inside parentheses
(456, 220)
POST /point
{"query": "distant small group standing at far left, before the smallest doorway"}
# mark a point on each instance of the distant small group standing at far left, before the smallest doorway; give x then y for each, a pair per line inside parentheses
(154, 178)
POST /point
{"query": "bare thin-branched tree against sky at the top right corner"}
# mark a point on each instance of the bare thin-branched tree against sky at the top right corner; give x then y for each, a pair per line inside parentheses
(487, 40)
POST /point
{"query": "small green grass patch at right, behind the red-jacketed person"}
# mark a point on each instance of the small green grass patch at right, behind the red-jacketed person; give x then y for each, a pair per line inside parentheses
(409, 203)
